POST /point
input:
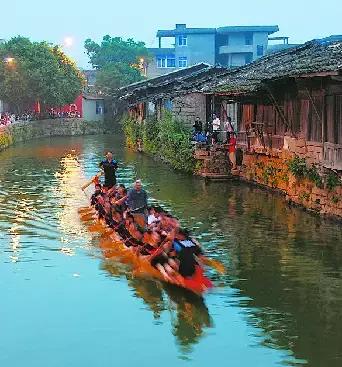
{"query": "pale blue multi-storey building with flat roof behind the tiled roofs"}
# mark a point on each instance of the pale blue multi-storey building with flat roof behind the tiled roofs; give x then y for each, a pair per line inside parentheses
(226, 46)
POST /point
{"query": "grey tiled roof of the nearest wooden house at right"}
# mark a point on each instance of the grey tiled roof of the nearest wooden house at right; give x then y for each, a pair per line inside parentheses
(317, 57)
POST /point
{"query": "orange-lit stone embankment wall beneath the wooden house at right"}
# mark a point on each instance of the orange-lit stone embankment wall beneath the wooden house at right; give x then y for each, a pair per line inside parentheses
(271, 169)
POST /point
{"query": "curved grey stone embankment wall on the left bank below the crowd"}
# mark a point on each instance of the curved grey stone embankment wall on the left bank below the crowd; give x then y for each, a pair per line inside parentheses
(22, 131)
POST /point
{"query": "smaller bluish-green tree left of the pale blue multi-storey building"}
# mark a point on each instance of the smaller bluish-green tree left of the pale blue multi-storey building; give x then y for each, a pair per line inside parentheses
(118, 62)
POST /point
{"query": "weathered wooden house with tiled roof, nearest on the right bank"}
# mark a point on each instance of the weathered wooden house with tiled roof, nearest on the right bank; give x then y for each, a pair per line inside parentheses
(291, 95)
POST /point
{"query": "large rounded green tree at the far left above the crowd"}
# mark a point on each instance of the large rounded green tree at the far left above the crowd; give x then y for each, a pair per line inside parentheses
(37, 71)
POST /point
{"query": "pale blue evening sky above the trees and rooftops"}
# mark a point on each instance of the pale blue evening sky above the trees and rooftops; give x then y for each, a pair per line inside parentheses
(54, 20)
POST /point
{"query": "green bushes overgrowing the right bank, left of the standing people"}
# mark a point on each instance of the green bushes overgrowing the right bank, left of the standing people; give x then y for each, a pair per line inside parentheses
(167, 138)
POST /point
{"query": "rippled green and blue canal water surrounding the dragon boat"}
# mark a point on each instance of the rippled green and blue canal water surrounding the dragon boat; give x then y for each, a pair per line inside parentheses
(63, 304)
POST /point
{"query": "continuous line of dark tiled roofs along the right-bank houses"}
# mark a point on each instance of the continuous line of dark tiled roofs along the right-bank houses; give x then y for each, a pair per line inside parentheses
(315, 58)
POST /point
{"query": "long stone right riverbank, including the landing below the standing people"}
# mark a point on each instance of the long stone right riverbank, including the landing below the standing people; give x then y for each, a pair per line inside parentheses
(296, 172)
